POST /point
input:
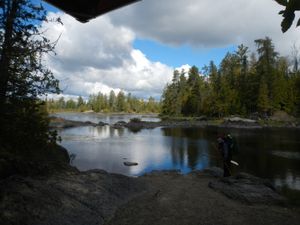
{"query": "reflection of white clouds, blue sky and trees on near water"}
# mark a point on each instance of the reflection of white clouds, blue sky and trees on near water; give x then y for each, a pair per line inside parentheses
(156, 149)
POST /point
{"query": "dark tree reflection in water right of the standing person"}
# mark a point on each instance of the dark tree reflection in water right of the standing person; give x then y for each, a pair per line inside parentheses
(256, 153)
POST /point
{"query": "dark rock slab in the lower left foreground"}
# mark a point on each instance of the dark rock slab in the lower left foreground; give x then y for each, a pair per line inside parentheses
(85, 198)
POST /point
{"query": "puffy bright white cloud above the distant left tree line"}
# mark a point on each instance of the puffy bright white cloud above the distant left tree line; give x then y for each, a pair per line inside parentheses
(98, 56)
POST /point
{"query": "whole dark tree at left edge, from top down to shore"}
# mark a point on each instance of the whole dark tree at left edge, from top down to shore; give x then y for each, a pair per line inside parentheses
(24, 130)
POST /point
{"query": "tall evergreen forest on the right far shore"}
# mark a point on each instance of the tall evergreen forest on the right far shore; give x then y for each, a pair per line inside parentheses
(243, 84)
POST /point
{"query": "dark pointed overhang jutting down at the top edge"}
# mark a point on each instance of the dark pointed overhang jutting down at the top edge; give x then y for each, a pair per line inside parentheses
(85, 10)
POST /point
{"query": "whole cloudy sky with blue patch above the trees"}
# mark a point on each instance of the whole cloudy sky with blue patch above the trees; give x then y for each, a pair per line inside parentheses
(136, 48)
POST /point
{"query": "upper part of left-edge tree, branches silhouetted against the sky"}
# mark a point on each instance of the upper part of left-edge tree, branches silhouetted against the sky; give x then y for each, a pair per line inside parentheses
(22, 47)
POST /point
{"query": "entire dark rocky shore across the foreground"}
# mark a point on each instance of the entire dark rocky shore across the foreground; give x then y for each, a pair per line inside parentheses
(162, 197)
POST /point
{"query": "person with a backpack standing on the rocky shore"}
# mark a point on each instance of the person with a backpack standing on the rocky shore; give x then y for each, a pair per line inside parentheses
(223, 146)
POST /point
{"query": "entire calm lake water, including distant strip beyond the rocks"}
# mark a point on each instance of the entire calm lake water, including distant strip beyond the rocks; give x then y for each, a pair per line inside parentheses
(268, 153)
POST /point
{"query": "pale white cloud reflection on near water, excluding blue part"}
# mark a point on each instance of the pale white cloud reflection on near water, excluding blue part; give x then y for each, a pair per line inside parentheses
(106, 150)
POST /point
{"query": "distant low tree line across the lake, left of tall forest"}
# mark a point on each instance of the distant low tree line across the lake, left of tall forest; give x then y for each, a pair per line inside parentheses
(106, 103)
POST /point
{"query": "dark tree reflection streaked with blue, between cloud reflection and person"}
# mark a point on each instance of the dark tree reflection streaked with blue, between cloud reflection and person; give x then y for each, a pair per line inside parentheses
(187, 144)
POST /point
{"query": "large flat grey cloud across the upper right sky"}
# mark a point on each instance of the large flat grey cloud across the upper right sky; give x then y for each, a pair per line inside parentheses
(207, 23)
